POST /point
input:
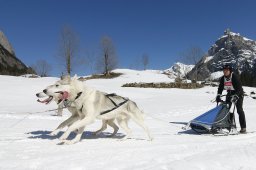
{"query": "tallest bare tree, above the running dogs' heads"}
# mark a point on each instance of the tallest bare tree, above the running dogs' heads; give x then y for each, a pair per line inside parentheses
(69, 45)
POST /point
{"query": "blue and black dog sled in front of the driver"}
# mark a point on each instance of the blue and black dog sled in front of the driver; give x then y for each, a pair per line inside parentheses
(217, 121)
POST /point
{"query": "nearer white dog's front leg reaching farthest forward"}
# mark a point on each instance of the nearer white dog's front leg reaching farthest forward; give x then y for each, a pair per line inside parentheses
(77, 125)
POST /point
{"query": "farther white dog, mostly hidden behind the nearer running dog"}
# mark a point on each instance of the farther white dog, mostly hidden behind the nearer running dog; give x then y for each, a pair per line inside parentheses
(74, 112)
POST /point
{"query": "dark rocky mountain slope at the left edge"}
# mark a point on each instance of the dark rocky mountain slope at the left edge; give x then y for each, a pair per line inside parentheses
(9, 63)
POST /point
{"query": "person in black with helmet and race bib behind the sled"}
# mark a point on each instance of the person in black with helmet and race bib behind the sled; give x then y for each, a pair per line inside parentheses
(230, 82)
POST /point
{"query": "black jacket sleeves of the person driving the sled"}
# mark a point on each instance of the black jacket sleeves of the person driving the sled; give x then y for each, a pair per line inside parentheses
(236, 84)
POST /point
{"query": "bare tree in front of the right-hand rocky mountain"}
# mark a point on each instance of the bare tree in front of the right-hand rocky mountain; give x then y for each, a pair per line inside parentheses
(192, 56)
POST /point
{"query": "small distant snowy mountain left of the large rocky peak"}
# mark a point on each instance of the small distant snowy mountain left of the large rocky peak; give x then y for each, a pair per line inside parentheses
(178, 70)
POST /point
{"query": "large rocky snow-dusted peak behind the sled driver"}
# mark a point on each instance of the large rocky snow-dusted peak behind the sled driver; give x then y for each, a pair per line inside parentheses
(230, 48)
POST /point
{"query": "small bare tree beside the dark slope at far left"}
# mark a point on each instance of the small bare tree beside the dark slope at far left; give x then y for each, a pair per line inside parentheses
(42, 68)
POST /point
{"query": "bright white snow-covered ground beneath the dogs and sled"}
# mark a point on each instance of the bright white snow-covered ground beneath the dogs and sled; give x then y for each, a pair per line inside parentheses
(25, 142)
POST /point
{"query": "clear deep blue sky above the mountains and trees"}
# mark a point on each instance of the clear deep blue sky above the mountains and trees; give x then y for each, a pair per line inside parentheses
(161, 29)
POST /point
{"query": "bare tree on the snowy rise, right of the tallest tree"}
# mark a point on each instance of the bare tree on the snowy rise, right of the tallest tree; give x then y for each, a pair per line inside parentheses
(108, 58)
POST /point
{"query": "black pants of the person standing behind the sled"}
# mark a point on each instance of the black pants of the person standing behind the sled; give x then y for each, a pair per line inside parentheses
(240, 111)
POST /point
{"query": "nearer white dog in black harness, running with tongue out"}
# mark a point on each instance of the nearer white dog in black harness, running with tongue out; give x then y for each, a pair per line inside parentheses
(91, 104)
